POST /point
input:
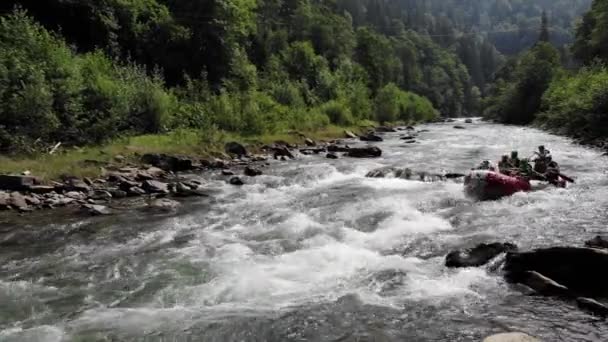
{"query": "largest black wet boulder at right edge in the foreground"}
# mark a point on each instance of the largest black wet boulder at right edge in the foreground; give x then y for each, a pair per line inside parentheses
(582, 270)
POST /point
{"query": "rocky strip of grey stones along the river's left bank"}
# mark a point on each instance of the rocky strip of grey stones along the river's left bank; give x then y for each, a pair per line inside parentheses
(160, 176)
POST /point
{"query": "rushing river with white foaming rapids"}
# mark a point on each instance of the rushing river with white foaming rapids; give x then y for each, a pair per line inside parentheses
(310, 251)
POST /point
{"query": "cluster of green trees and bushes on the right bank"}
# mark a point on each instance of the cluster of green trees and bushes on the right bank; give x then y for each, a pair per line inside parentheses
(536, 88)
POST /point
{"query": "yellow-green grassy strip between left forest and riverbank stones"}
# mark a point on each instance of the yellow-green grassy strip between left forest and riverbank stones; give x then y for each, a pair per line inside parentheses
(73, 161)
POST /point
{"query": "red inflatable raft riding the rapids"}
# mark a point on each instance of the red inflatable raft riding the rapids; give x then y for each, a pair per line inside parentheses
(490, 185)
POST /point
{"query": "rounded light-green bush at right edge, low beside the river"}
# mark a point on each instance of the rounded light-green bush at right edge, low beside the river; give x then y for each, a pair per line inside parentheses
(578, 104)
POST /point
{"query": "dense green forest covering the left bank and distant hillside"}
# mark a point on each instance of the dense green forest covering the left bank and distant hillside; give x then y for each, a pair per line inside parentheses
(84, 71)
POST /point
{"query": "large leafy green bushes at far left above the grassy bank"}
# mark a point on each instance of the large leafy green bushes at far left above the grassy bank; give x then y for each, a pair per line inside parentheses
(49, 94)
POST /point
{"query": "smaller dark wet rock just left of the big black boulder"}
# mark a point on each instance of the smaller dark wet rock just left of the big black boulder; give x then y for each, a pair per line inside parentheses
(478, 255)
